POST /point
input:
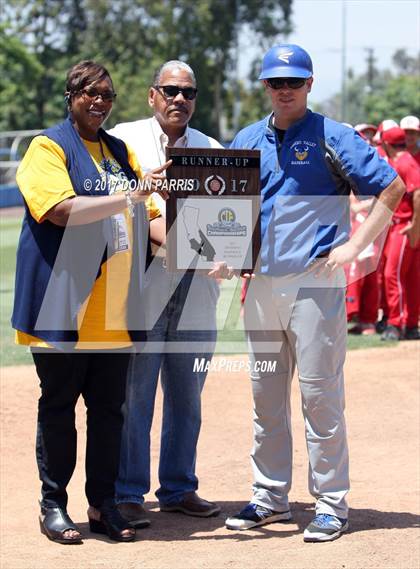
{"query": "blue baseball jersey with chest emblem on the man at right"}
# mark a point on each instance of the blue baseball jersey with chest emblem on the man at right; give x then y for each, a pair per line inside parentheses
(305, 184)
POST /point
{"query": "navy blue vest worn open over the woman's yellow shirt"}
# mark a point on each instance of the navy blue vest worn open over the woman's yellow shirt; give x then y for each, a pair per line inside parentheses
(57, 266)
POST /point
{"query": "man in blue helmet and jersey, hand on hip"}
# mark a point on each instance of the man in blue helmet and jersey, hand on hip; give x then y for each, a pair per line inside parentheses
(295, 305)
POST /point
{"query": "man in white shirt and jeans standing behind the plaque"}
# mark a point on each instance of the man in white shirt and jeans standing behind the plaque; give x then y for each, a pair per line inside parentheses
(172, 98)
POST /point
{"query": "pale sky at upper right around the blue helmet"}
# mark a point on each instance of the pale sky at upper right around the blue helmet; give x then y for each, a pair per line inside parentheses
(384, 25)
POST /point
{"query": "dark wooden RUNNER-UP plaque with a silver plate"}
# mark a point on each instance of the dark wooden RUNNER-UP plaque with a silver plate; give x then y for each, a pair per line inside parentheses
(213, 212)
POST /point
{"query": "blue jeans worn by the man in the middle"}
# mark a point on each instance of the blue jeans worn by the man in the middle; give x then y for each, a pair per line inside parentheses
(181, 385)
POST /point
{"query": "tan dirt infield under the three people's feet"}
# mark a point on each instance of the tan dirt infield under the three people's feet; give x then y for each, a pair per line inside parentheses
(383, 425)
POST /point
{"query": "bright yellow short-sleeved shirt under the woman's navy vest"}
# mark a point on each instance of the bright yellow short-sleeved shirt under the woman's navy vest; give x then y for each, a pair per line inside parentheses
(44, 182)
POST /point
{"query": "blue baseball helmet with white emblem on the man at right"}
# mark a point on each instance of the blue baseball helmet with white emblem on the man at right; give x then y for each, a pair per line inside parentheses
(286, 60)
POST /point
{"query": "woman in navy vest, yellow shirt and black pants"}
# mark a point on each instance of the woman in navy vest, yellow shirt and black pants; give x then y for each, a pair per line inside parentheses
(84, 240)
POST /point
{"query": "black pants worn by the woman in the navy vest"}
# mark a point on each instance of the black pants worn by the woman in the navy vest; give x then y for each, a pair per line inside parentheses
(100, 377)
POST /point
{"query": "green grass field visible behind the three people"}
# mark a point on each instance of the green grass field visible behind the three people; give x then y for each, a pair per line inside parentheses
(231, 337)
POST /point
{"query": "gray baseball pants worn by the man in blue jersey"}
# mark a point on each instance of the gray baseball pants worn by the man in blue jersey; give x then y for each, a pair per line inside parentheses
(299, 320)
